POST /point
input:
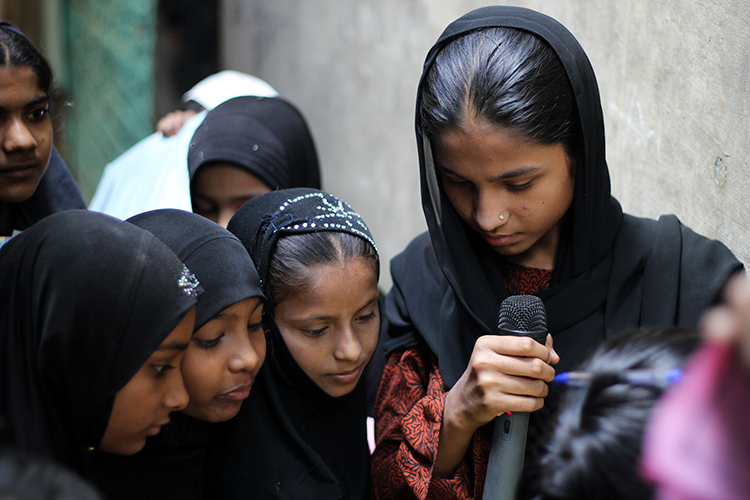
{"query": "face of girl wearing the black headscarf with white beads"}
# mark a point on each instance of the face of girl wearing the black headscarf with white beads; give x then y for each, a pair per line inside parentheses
(331, 326)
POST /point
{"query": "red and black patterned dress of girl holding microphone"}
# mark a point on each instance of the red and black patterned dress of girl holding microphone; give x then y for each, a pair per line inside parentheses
(409, 412)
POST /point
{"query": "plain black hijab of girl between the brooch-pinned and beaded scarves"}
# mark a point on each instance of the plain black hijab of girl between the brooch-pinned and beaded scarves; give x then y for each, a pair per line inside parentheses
(170, 466)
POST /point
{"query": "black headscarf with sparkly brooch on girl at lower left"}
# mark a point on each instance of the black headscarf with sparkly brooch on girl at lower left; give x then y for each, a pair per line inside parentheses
(85, 299)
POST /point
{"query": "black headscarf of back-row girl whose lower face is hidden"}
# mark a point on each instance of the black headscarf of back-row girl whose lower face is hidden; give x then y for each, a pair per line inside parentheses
(265, 136)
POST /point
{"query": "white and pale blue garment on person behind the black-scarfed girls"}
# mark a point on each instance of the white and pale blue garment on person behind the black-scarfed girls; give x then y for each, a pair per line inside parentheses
(153, 174)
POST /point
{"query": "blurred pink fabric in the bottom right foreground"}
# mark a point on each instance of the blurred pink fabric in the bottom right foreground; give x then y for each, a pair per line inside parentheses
(697, 444)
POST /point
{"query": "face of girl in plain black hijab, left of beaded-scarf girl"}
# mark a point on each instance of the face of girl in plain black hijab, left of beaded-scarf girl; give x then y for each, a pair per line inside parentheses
(223, 360)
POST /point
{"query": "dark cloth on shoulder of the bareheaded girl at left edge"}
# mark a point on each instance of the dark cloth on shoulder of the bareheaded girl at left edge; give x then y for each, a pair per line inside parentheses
(57, 191)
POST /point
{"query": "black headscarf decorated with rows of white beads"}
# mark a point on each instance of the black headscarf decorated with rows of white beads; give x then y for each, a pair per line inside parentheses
(291, 439)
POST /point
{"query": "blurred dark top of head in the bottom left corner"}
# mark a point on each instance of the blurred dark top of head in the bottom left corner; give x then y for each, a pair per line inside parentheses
(27, 478)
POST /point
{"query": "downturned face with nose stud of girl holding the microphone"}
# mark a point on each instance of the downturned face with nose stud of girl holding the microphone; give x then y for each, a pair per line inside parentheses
(511, 191)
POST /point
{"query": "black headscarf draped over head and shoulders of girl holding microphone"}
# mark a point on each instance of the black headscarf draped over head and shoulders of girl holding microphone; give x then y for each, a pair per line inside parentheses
(612, 271)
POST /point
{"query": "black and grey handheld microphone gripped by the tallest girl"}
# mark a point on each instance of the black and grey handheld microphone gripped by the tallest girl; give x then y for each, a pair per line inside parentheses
(521, 316)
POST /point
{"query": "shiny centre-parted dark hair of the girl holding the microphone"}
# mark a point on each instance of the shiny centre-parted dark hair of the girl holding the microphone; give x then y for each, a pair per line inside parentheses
(506, 76)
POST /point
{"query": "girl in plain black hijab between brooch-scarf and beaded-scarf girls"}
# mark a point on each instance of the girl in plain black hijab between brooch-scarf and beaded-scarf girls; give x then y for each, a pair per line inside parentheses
(220, 365)
